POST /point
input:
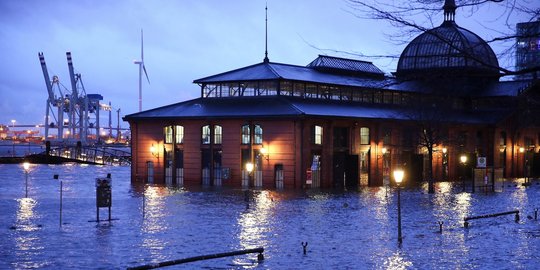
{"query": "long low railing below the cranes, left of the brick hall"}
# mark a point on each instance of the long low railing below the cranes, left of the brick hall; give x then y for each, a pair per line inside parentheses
(93, 154)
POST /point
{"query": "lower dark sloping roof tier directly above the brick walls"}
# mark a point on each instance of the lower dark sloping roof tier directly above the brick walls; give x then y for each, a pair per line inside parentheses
(282, 106)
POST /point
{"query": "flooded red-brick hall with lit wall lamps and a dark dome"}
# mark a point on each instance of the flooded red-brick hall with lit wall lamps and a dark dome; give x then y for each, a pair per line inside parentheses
(357, 122)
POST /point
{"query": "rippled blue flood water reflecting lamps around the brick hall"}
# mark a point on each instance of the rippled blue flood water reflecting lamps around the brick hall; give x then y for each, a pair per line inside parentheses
(343, 229)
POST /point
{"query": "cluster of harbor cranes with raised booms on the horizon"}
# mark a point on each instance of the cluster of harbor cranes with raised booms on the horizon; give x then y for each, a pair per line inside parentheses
(72, 111)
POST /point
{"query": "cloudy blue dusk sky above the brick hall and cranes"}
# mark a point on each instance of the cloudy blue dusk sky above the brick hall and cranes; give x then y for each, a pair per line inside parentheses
(184, 40)
